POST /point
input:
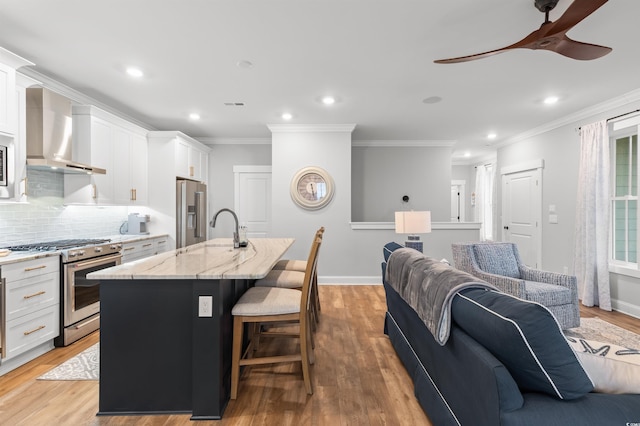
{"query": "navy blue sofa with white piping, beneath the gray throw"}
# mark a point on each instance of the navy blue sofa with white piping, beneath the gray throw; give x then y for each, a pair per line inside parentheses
(505, 361)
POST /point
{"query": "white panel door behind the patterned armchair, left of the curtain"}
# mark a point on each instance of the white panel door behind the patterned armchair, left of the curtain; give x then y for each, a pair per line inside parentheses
(521, 214)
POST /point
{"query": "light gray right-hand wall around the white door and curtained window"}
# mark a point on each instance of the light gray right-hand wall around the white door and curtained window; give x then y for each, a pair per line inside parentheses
(560, 148)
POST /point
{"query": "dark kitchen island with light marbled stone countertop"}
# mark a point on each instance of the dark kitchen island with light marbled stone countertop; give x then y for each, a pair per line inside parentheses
(166, 326)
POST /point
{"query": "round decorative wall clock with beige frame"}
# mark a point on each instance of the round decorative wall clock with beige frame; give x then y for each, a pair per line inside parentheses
(312, 188)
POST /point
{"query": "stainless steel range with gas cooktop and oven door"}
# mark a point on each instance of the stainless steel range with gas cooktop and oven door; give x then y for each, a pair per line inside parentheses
(79, 296)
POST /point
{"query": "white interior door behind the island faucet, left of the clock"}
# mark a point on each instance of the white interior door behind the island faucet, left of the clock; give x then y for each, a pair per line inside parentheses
(253, 199)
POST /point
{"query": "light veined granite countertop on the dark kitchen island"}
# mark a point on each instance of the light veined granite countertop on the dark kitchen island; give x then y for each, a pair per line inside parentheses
(212, 259)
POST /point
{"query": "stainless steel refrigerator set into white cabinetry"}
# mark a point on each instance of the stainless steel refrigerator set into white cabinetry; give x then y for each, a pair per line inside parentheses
(191, 213)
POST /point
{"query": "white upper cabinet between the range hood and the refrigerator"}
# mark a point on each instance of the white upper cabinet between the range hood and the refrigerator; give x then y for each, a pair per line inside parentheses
(116, 145)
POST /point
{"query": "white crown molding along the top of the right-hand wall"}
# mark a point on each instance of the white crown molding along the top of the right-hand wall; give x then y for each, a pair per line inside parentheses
(603, 107)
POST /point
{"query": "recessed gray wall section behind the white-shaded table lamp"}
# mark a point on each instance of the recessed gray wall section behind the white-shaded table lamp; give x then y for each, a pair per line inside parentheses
(382, 175)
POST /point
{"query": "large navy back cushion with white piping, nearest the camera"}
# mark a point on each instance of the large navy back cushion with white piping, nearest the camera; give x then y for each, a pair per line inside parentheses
(526, 338)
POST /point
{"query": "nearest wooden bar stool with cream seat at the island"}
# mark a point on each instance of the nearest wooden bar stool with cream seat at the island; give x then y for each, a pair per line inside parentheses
(274, 305)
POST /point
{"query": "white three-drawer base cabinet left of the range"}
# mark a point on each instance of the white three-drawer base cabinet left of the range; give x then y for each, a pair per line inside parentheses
(31, 304)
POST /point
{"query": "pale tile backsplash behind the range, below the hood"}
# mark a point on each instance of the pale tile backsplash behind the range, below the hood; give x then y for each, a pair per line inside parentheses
(45, 217)
